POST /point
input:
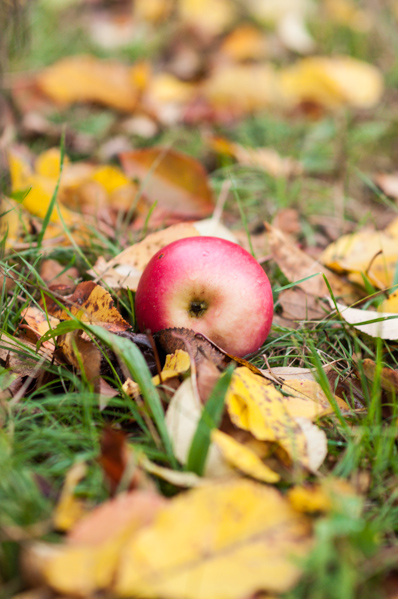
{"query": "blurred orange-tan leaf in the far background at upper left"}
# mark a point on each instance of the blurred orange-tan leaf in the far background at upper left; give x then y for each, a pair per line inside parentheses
(89, 79)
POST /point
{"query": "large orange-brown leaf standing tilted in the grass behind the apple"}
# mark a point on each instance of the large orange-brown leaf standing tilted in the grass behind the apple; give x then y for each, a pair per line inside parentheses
(177, 182)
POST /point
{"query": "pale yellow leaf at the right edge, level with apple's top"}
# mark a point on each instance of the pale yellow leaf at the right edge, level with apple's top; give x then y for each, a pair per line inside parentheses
(372, 253)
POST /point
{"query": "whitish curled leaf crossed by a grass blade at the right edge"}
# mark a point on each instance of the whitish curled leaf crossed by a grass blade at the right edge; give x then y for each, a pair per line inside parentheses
(375, 324)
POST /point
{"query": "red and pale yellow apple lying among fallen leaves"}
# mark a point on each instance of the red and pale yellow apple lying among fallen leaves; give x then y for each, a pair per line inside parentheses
(210, 285)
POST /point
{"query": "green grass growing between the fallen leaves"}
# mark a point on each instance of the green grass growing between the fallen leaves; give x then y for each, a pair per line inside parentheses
(49, 429)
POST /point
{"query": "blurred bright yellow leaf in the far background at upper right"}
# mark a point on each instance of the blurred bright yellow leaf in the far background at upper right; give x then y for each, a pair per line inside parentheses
(332, 82)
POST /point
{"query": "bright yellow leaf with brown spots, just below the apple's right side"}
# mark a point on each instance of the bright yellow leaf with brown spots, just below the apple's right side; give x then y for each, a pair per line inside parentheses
(256, 406)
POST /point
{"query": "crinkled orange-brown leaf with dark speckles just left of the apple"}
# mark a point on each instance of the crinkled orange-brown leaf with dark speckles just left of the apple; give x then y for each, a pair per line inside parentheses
(91, 303)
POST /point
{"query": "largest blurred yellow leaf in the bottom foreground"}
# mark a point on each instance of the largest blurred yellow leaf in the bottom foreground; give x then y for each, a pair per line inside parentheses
(227, 540)
